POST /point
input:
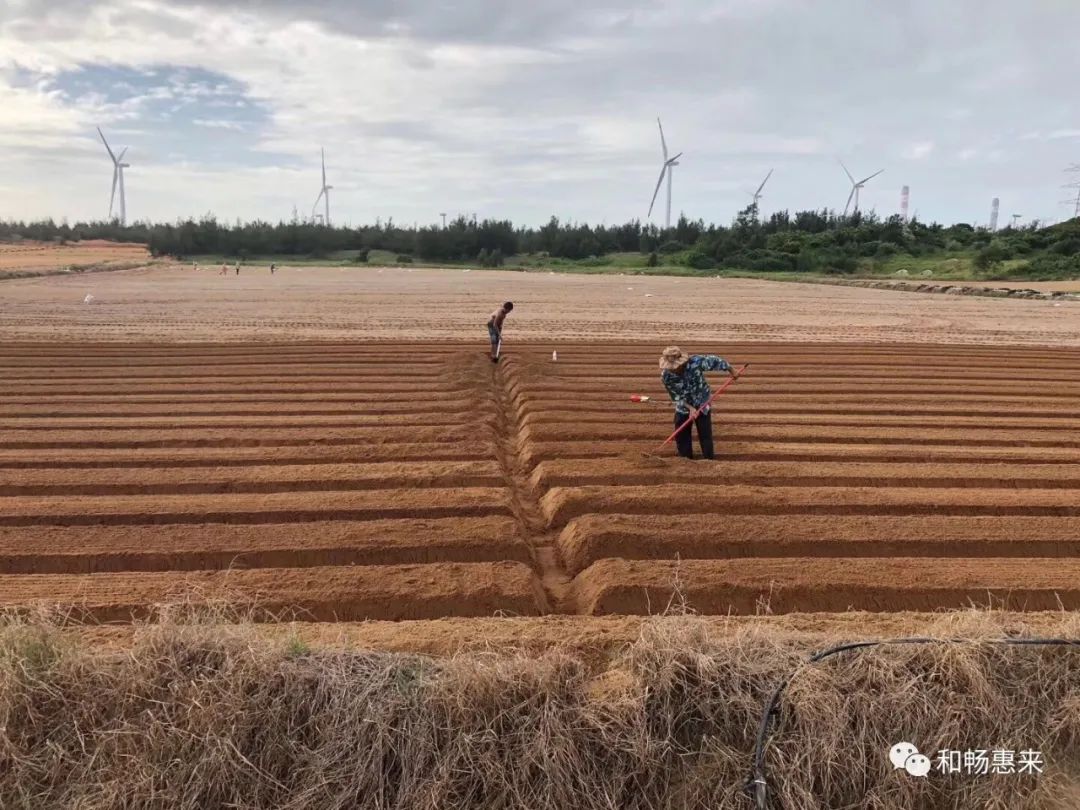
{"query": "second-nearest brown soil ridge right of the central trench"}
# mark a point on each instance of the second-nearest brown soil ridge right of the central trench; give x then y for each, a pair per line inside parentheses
(588, 539)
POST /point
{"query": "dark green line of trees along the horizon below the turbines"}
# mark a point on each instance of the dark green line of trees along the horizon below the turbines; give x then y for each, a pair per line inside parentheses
(807, 241)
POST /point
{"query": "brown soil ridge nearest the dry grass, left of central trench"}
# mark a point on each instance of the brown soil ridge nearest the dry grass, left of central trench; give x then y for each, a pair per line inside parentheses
(333, 593)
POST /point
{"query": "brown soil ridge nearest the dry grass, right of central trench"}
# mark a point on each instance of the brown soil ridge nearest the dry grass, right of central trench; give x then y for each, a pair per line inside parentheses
(816, 584)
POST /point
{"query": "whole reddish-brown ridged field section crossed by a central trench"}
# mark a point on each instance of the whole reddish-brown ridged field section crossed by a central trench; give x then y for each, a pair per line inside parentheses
(362, 481)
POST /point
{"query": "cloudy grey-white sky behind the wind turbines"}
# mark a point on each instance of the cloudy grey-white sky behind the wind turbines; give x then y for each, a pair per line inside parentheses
(529, 110)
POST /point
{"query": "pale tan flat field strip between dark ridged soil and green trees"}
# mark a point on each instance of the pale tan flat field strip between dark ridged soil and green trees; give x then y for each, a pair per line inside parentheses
(346, 304)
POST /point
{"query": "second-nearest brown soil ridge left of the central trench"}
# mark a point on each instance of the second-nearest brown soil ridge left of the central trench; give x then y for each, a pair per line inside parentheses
(191, 548)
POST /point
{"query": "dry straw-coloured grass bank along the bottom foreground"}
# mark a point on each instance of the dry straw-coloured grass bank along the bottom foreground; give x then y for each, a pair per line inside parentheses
(199, 713)
